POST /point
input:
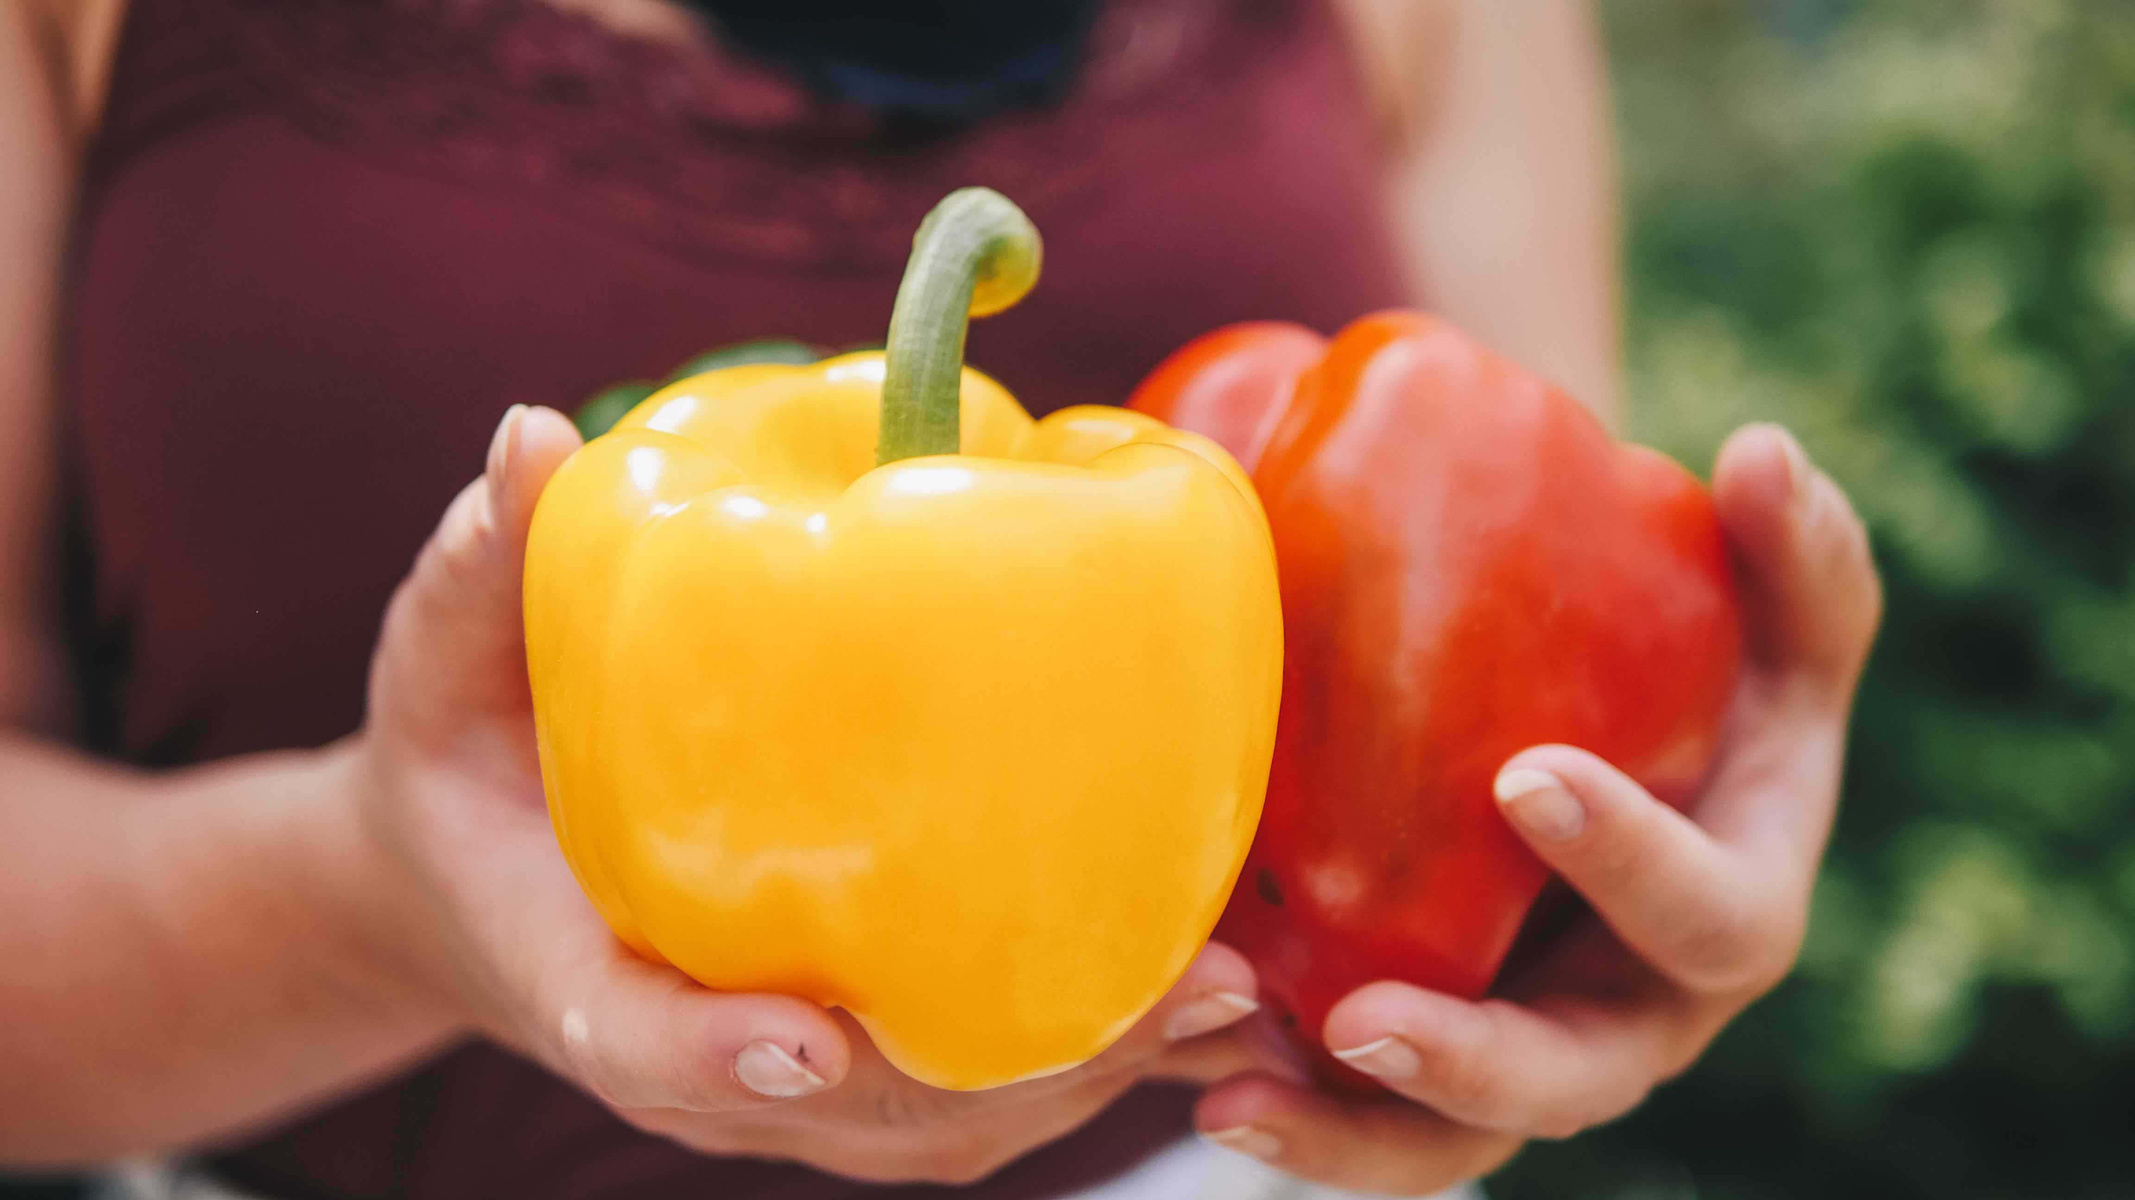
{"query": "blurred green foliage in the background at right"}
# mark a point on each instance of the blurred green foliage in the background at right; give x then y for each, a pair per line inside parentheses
(1908, 230)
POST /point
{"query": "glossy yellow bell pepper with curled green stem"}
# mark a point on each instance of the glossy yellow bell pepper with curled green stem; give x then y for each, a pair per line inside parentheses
(968, 744)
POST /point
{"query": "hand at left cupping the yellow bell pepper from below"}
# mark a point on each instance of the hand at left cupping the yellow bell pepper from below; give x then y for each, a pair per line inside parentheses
(486, 921)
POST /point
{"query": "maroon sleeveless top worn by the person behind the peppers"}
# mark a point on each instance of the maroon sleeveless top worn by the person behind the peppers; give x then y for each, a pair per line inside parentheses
(326, 242)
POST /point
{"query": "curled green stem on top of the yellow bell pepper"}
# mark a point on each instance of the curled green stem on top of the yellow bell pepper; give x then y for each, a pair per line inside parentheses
(975, 255)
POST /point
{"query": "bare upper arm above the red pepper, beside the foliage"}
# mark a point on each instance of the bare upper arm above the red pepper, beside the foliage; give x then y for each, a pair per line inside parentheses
(1506, 193)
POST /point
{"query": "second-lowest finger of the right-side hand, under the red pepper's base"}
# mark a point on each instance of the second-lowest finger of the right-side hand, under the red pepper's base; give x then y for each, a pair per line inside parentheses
(1504, 1067)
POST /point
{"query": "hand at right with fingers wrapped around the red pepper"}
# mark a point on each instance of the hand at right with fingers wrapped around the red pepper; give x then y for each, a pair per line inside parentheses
(1694, 917)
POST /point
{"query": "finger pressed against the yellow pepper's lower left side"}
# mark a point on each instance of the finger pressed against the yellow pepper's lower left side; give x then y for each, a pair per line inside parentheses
(644, 1037)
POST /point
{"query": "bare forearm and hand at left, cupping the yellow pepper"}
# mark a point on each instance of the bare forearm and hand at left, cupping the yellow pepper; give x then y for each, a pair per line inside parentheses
(202, 949)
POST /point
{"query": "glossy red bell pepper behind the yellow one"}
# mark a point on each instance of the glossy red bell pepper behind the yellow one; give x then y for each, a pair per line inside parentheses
(1470, 567)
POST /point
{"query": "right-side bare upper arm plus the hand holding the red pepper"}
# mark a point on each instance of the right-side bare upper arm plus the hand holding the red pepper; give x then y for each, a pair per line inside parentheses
(1504, 198)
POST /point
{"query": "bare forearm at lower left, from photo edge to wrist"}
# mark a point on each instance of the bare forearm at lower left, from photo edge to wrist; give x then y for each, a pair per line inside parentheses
(189, 953)
